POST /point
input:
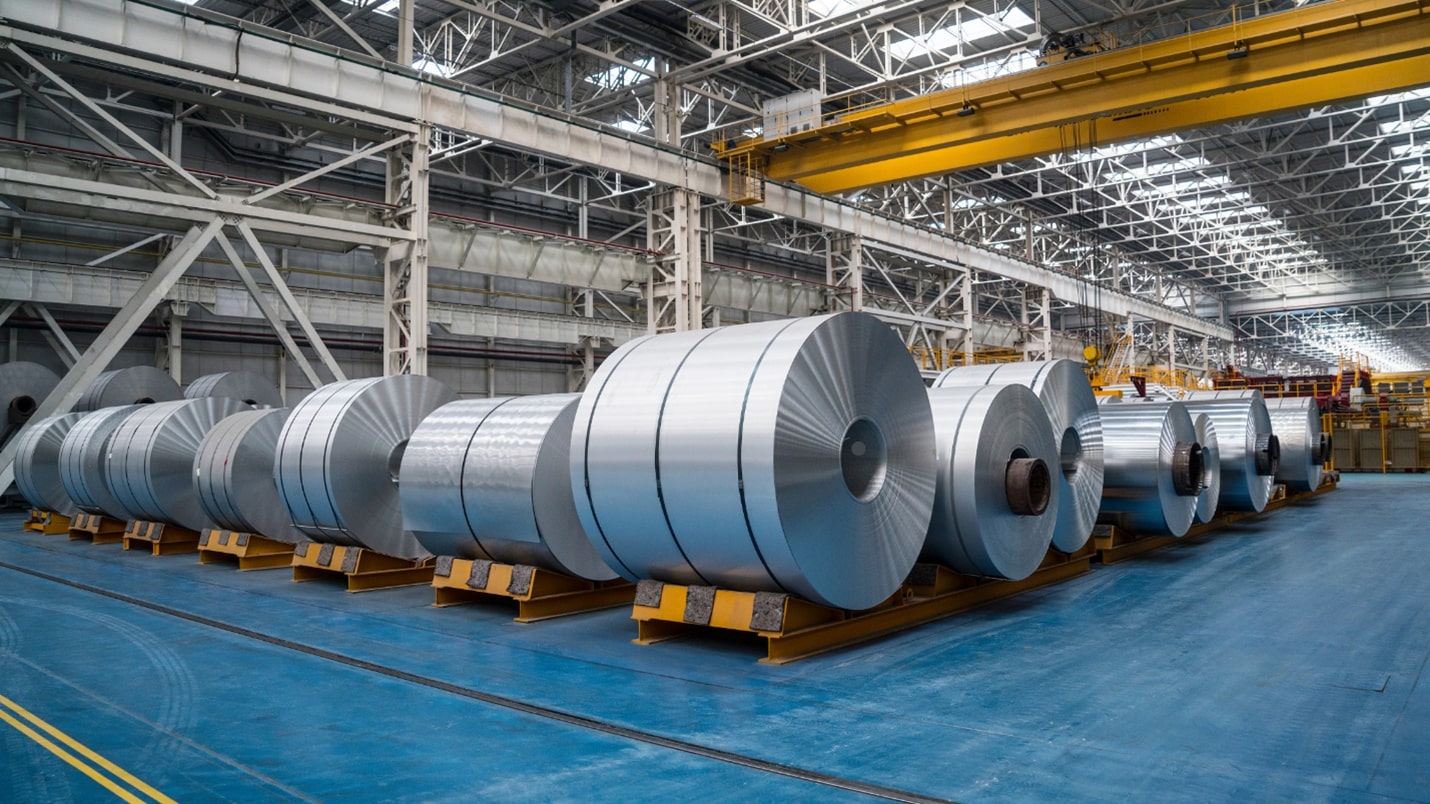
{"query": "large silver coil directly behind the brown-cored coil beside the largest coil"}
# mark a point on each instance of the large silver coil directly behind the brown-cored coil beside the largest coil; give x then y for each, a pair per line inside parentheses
(1067, 396)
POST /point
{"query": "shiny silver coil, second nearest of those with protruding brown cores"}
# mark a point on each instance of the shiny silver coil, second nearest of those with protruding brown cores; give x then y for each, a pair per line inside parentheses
(1152, 467)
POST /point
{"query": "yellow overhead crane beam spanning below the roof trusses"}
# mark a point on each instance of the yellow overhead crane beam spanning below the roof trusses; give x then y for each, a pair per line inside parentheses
(1253, 68)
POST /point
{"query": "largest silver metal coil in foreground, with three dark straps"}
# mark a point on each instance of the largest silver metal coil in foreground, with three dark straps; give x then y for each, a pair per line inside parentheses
(793, 456)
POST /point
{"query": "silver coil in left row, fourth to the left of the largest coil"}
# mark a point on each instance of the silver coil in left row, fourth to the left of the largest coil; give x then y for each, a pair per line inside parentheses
(151, 460)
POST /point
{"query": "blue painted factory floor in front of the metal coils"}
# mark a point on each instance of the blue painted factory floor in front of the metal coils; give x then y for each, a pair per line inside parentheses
(1279, 660)
